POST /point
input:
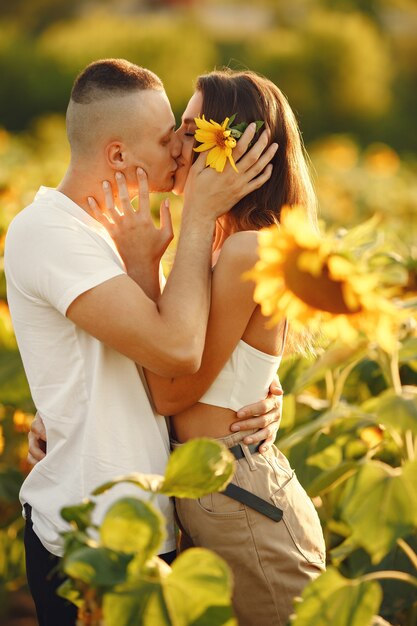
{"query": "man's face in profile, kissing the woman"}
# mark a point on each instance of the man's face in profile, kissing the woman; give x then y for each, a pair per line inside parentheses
(152, 143)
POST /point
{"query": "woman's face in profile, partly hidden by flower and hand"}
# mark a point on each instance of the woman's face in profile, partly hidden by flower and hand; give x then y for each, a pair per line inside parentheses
(186, 133)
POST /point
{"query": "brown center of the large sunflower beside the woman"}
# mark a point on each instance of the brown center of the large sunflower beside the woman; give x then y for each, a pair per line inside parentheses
(319, 292)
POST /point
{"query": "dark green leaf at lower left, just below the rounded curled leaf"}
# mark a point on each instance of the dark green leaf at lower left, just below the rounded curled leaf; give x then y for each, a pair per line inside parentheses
(97, 567)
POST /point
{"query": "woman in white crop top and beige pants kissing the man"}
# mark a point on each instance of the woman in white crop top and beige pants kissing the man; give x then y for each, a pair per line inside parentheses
(274, 545)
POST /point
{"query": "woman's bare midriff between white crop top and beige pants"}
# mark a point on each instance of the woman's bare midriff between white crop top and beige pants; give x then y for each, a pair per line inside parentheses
(202, 420)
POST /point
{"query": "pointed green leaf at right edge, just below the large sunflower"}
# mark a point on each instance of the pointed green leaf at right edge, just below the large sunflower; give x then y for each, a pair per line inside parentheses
(395, 411)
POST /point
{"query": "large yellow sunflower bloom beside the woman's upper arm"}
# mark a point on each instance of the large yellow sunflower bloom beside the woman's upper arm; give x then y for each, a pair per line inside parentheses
(314, 282)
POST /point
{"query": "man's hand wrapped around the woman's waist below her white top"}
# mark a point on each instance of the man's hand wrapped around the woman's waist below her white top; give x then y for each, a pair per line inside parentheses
(264, 415)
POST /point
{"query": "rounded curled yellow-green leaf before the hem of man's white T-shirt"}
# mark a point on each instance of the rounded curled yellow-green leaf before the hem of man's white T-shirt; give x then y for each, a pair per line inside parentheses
(133, 526)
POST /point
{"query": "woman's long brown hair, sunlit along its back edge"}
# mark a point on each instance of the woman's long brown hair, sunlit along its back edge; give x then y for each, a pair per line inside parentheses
(253, 97)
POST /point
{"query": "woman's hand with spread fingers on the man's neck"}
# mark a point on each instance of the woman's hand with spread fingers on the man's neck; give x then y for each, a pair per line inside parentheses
(140, 244)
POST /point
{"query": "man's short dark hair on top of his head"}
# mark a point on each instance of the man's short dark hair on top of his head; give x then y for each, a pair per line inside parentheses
(112, 76)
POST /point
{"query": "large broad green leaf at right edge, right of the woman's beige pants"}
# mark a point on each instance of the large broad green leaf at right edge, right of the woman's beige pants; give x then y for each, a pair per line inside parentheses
(379, 504)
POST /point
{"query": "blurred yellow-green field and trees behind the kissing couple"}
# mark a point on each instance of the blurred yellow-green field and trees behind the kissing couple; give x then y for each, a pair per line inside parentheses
(348, 68)
